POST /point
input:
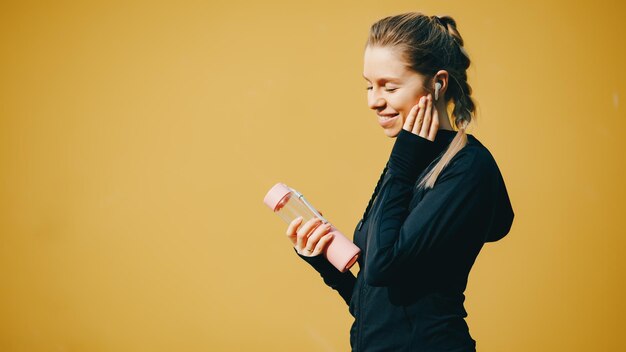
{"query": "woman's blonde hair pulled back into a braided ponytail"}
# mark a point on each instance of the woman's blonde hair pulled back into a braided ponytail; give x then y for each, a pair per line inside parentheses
(429, 44)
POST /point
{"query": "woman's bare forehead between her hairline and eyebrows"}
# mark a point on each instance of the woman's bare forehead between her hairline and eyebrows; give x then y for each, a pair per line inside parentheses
(381, 63)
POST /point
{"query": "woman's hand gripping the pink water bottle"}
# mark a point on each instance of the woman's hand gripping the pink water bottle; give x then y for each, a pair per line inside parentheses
(311, 239)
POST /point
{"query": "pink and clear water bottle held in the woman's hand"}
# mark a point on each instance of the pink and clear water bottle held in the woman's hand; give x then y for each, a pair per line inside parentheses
(290, 204)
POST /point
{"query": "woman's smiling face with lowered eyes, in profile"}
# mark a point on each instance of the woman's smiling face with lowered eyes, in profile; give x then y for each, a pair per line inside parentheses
(392, 88)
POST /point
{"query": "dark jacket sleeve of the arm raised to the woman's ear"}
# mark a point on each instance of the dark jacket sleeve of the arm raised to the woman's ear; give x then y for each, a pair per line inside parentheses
(400, 236)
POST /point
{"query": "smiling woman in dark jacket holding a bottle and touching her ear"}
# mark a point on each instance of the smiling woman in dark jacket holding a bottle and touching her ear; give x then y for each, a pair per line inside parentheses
(439, 199)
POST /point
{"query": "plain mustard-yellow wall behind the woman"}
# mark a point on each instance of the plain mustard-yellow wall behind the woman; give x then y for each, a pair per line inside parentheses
(137, 140)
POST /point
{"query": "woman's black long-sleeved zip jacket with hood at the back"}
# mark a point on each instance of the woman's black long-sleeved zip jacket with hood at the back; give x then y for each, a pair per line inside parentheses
(418, 246)
